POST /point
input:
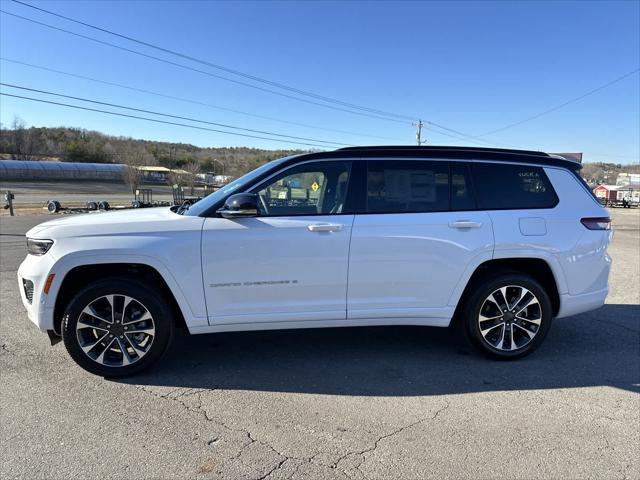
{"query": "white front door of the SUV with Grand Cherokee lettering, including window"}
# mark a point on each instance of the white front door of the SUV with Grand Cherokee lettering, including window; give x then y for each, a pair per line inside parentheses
(288, 264)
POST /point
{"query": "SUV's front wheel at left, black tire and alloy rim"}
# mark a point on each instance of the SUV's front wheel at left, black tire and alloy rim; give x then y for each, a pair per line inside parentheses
(117, 327)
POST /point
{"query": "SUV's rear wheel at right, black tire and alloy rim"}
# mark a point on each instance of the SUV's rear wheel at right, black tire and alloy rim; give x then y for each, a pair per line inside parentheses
(508, 317)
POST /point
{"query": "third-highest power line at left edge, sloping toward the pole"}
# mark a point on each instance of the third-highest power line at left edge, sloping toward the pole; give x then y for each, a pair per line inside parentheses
(181, 99)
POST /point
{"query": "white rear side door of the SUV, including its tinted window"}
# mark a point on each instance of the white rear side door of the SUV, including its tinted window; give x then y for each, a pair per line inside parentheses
(418, 237)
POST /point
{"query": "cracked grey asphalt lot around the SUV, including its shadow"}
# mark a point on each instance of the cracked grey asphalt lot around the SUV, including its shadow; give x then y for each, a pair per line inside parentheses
(331, 403)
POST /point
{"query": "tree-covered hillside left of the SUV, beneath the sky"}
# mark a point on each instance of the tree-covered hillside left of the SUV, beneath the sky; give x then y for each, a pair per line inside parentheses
(78, 145)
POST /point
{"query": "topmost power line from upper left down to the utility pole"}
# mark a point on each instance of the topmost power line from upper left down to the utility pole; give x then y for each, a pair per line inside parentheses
(217, 66)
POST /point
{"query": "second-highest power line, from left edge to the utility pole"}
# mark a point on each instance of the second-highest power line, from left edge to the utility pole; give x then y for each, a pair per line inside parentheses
(186, 67)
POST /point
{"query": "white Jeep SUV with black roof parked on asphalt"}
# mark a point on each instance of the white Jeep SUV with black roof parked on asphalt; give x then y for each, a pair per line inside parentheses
(501, 241)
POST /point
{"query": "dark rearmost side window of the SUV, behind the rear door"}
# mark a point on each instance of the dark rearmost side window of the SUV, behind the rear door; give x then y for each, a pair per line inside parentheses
(503, 187)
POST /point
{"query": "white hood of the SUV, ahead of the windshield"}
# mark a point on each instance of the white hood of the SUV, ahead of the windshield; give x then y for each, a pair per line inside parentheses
(130, 220)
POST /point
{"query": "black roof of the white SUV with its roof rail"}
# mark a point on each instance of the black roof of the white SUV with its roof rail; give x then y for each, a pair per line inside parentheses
(448, 152)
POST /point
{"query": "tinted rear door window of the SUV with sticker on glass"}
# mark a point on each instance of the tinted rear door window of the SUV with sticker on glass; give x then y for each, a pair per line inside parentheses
(407, 186)
